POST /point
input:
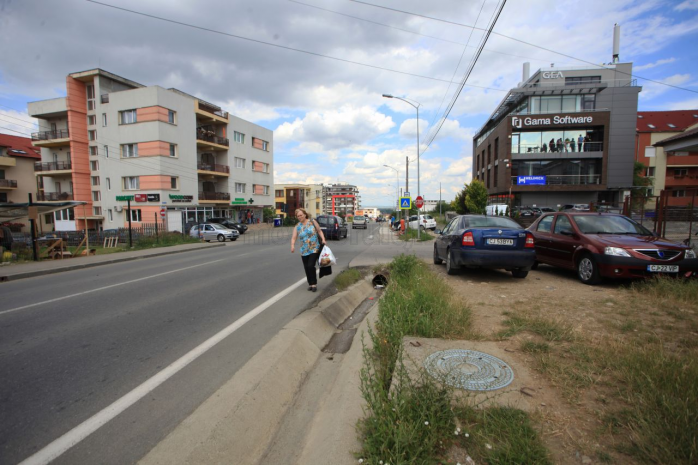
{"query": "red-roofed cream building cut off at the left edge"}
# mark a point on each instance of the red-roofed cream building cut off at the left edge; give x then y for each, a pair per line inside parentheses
(17, 180)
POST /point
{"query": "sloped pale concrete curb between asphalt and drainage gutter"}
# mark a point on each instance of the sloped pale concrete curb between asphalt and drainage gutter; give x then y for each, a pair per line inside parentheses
(240, 420)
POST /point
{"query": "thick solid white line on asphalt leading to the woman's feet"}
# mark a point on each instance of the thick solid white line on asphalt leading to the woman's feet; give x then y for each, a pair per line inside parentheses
(92, 424)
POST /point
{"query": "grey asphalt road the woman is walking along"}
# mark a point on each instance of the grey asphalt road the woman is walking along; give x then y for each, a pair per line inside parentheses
(73, 343)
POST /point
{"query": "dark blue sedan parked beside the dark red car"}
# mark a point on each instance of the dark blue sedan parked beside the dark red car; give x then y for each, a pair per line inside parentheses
(478, 241)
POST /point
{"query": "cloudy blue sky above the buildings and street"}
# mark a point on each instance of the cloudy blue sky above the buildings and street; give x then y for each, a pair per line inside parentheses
(315, 71)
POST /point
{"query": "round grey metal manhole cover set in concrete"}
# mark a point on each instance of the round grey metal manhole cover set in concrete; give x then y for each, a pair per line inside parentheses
(469, 369)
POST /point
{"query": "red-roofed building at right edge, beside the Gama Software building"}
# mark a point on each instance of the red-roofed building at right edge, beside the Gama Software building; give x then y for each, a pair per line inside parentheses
(667, 144)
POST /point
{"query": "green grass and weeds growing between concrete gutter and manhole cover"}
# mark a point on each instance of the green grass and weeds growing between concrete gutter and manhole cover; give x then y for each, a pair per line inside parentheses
(410, 417)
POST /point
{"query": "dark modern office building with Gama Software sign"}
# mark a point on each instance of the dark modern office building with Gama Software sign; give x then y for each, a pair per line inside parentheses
(563, 135)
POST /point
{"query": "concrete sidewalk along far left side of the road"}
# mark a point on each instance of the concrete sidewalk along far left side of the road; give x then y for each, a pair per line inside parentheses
(28, 270)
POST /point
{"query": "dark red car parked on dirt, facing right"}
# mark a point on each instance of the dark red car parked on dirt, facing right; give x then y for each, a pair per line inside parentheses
(607, 245)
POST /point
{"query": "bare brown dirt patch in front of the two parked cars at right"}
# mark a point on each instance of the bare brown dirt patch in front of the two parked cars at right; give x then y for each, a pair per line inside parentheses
(551, 323)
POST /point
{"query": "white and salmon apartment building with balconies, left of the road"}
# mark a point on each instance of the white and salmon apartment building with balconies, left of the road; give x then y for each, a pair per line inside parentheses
(111, 141)
